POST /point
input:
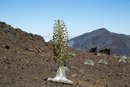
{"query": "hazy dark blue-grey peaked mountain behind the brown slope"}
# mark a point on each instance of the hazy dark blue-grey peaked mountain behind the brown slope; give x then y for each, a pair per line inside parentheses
(102, 38)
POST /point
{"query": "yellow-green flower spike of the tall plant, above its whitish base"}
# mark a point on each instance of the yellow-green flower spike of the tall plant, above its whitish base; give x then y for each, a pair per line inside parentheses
(60, 42)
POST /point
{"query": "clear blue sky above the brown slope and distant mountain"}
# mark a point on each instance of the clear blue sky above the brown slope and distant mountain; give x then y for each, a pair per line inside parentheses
(80, 16)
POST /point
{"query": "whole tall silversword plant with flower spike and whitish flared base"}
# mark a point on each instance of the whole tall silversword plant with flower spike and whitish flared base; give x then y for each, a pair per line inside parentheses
(60, 48)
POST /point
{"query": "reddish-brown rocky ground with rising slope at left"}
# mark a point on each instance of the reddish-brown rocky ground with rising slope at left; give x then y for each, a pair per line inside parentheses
(26, 60)
